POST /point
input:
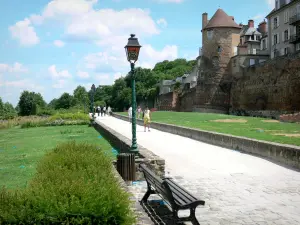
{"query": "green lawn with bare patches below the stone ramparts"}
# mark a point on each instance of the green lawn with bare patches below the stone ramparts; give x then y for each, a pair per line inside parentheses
(253, 127)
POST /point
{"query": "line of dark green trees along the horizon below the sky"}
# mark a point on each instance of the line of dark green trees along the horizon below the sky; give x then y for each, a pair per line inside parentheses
(118, 95)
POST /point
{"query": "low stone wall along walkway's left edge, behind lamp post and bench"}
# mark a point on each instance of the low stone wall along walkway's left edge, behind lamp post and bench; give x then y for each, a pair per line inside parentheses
(122, 144)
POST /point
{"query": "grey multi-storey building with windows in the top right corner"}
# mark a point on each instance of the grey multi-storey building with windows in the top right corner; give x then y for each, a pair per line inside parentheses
(284, 28)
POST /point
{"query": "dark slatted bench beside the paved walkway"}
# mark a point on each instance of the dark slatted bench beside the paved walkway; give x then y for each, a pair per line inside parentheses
(176, 197)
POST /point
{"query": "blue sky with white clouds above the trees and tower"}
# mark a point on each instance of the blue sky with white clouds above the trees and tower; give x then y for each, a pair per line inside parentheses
(52, 46)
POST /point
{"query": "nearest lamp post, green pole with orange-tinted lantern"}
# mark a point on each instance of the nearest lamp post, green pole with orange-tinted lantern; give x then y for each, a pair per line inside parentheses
(132, 52)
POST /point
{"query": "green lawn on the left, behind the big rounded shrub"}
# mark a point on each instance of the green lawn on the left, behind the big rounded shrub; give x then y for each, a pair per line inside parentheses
(20, 149)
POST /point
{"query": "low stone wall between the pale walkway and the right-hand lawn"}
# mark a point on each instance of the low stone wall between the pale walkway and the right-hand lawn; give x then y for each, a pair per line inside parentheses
(288, 155)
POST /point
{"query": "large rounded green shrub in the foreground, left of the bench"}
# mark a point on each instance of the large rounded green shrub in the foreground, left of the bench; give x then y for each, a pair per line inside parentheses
(74, 184)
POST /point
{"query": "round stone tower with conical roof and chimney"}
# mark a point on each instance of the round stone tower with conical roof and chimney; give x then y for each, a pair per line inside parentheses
(220, 38)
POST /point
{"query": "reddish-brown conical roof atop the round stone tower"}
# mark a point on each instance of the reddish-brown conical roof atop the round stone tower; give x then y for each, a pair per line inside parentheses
(221, 19)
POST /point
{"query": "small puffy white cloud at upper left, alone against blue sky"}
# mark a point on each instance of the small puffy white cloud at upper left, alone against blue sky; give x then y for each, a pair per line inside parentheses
(24, 33)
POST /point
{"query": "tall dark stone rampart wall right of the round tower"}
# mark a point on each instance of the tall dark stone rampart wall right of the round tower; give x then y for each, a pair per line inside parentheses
(272, 86)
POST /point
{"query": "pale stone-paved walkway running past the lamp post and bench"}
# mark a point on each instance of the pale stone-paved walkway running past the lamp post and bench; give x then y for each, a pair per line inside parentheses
(238, 188)
